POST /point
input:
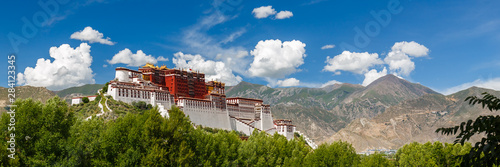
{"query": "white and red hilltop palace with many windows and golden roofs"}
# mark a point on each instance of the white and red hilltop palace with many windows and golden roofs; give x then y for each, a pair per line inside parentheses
(205, 103)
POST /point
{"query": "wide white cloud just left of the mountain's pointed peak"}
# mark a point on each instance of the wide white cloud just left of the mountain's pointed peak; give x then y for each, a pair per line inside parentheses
(353, 62)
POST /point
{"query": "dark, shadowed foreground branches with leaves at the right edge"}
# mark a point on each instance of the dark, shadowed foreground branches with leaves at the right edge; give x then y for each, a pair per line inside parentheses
(487, 151)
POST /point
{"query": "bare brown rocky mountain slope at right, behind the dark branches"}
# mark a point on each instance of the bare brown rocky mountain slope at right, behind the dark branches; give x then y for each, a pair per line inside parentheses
(413, 120)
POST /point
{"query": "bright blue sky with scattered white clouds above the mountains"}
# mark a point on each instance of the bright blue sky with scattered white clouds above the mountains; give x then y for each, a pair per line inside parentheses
(445, 45)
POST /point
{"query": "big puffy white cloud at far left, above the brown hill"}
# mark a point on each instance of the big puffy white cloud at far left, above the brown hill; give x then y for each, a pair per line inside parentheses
(71, 67)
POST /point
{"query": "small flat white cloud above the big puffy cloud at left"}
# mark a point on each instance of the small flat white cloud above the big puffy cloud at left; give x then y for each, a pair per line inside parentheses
(91, 35)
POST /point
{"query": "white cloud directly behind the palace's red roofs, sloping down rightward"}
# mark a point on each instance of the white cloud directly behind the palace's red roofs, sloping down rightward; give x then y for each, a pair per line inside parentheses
(214, 70)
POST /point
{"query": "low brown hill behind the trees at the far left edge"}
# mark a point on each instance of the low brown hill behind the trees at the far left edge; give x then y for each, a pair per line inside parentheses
(23, 92)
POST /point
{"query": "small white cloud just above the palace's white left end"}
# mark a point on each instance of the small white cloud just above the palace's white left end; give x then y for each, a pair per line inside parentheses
(126, 56)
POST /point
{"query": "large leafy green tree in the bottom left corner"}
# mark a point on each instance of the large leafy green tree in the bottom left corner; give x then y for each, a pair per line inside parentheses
(41, 131)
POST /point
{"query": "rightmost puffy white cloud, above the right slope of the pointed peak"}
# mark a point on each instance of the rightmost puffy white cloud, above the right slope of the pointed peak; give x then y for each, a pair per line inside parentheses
(401, 55)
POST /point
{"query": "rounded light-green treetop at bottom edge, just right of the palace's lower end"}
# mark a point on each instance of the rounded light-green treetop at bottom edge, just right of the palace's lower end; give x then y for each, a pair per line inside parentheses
(338, 153)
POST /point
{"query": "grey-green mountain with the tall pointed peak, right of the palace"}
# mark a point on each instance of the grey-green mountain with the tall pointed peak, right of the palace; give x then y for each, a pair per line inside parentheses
(320, 112)
